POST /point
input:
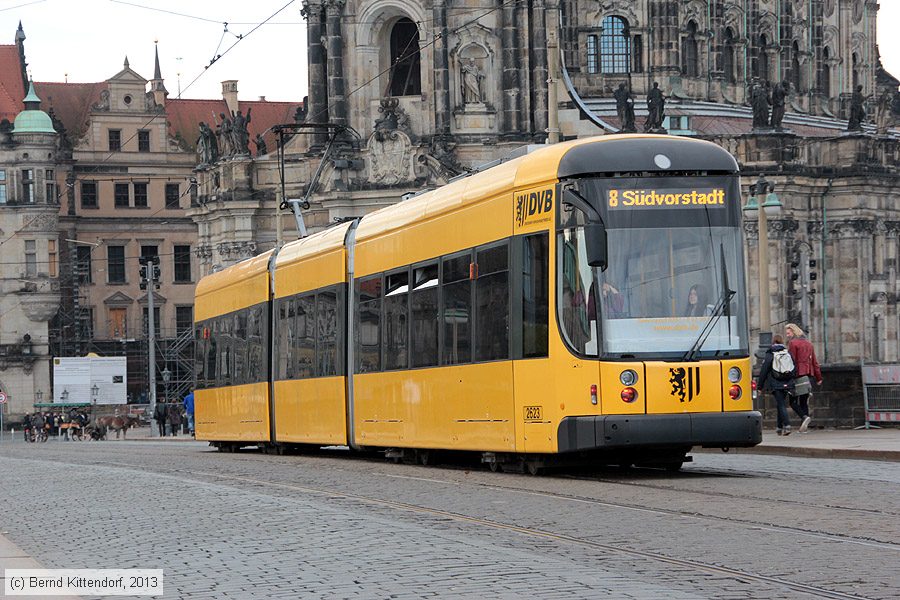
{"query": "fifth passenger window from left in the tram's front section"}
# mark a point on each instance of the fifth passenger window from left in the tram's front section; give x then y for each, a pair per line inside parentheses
(492, 302)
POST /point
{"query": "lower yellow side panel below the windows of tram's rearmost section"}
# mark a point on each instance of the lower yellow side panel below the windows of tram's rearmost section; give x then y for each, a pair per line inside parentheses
(233, 414)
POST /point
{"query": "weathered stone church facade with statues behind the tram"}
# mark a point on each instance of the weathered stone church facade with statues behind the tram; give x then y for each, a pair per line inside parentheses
(430, 89)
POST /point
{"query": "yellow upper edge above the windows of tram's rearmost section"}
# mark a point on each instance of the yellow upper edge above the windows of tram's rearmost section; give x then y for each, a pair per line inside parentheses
(246, 281)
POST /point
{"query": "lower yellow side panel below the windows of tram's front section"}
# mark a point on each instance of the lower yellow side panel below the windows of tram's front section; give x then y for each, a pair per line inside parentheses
(464, 407)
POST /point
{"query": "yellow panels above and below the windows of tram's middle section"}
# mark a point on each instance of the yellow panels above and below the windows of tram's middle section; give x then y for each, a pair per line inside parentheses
(311, 411)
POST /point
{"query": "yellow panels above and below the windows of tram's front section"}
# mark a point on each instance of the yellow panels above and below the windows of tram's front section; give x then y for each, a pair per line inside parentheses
(465, 407)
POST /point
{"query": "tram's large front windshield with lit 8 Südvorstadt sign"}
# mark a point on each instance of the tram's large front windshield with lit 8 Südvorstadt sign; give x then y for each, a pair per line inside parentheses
(672, 261)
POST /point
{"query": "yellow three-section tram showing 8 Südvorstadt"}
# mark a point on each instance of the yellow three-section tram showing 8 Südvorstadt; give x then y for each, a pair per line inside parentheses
(583, 300)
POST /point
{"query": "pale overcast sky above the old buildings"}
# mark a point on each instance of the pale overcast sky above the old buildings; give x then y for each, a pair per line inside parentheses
(88, 40)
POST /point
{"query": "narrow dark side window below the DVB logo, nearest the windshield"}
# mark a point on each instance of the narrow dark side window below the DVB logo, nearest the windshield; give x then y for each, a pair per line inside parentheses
(535, 295)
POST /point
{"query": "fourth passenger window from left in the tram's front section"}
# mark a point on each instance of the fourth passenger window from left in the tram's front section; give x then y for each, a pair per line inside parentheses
(457, 309)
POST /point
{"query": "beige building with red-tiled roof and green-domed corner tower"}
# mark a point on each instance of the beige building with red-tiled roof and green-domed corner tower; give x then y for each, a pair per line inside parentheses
(102, 178)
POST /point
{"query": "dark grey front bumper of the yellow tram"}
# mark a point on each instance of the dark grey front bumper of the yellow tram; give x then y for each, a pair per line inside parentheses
(715, 430)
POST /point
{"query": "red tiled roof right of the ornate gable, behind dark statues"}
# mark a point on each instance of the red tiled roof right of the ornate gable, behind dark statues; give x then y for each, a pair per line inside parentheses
(184, 117)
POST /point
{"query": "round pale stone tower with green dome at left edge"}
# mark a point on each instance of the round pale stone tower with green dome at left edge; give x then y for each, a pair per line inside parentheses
(31, 161)
